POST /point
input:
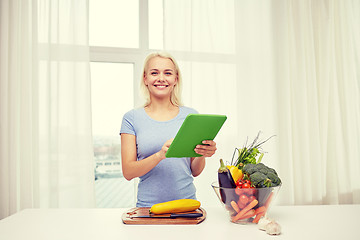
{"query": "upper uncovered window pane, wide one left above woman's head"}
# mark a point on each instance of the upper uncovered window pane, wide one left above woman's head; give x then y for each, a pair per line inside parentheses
(114, 23)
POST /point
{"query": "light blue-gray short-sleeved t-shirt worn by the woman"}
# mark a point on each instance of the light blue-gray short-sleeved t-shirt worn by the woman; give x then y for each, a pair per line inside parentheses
(171, 179)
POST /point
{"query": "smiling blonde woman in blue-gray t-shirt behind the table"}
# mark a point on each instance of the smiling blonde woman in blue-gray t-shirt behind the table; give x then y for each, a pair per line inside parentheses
(147, 132)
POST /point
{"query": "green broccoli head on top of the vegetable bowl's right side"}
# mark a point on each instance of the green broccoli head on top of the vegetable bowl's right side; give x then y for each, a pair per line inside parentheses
(261, 175)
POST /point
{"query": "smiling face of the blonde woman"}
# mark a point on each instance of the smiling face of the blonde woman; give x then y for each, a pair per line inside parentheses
(160, 77)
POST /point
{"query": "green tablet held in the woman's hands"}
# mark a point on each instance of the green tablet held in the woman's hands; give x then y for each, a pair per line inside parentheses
(195, 129)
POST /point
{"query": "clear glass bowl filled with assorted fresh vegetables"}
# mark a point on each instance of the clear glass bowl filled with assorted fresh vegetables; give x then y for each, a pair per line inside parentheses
(247, 187)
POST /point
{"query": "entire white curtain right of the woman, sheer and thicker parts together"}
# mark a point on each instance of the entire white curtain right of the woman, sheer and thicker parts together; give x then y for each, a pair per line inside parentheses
(289, 68)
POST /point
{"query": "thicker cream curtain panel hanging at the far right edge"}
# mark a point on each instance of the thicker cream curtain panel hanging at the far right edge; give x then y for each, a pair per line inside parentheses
(317, 49)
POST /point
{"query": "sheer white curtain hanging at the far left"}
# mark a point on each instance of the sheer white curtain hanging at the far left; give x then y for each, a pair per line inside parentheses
(46, 157)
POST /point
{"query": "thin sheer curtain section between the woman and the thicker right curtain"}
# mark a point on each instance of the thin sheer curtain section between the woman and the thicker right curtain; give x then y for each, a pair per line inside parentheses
(223, 49)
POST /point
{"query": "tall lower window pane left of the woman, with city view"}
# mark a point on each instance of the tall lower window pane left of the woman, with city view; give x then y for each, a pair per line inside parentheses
(109, 103)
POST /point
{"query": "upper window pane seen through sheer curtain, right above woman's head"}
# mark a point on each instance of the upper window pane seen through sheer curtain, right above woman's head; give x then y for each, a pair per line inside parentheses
(198, 27)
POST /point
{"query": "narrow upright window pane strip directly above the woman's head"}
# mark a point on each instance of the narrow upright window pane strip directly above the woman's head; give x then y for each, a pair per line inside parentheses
(156, 26)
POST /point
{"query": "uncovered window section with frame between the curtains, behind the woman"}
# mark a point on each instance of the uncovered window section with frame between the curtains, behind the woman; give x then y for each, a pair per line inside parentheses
(120, 35)
